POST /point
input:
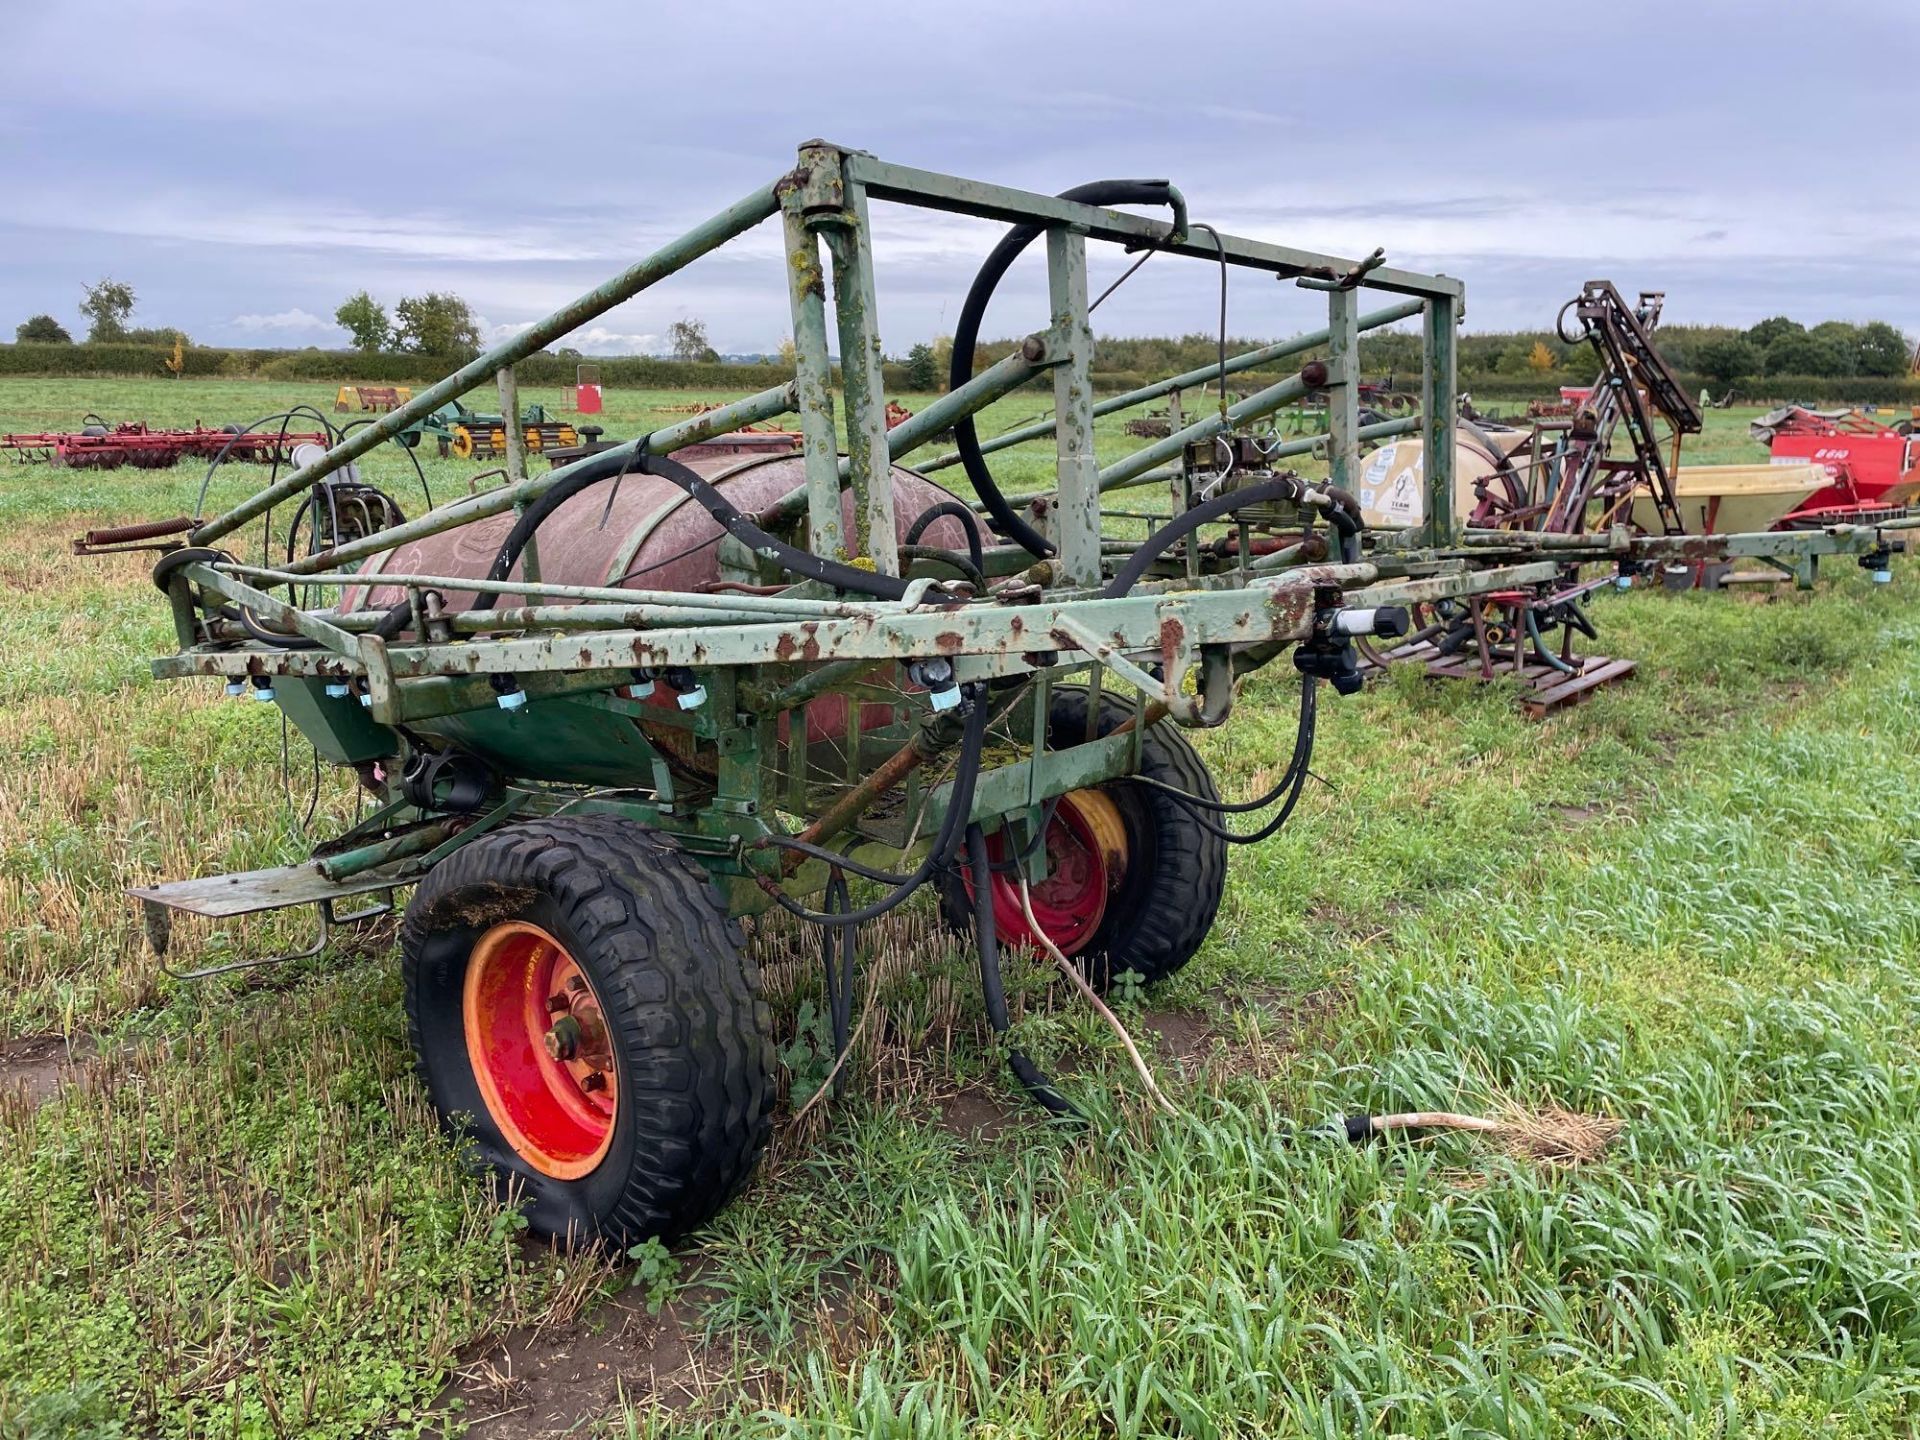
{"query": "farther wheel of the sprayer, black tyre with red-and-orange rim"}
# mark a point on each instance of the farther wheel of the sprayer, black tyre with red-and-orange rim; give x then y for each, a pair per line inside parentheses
(1134, 882)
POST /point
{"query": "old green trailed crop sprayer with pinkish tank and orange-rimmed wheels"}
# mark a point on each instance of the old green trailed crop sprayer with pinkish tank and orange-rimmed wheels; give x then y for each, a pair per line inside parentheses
(612, 708)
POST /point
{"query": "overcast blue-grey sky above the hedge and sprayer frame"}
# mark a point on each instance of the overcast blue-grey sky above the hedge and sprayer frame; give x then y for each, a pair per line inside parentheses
(247, 164)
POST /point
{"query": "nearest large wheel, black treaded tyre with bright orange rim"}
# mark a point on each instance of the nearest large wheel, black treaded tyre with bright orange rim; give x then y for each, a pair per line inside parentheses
(585, 1015)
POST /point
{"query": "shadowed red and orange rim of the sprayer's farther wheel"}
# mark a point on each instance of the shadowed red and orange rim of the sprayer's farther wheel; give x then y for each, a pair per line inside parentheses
(1086, 861)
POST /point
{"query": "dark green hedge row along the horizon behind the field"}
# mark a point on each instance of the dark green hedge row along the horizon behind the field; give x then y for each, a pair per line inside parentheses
(648, 373)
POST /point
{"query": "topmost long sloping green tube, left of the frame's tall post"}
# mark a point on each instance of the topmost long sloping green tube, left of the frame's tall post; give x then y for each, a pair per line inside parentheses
(732, 222)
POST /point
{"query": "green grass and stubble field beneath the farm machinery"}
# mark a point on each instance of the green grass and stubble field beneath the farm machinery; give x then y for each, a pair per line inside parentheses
(1691, 905)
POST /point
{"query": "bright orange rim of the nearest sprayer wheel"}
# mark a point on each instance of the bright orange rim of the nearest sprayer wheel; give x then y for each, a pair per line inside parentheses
(540, 1049)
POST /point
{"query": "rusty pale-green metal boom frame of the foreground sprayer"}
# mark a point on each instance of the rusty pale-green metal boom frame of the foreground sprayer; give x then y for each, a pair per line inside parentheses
(769, 656)
